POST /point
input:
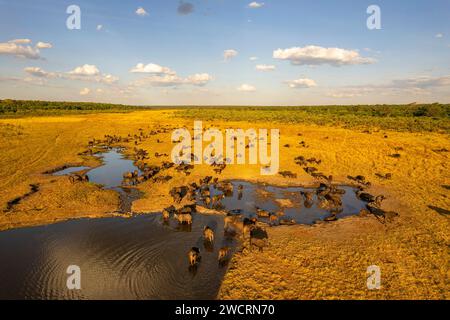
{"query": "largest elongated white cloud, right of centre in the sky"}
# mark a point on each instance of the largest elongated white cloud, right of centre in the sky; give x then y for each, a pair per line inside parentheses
(314, 55)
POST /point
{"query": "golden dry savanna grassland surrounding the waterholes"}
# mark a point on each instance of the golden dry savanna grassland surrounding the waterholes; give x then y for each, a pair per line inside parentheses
(324, 261)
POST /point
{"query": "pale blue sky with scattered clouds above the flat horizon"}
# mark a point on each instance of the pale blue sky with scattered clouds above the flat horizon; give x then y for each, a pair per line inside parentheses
(226, 52)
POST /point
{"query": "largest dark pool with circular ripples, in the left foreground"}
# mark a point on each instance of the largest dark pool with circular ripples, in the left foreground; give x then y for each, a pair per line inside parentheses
(136, 258)
